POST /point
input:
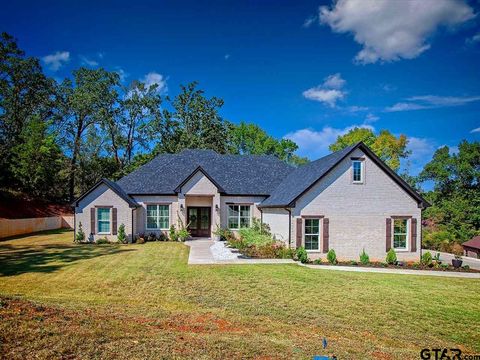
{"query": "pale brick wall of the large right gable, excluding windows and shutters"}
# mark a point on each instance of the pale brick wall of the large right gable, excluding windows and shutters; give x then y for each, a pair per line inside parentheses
(357, 212)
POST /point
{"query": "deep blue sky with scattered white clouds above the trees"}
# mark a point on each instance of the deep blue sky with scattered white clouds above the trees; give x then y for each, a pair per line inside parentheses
(305, 70)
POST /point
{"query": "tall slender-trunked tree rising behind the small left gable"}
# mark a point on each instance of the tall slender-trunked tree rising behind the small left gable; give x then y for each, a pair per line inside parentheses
(87, 103)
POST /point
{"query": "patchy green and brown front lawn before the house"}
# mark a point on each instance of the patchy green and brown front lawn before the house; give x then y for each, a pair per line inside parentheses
(60, 299)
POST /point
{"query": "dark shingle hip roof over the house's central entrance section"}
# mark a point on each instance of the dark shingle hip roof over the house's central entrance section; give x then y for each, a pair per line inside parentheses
(235, 174)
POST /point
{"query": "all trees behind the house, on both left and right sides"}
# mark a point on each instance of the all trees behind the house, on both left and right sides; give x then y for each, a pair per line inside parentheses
(57, 139)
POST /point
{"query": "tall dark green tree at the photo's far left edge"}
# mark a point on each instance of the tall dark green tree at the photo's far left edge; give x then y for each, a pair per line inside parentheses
(25, 93)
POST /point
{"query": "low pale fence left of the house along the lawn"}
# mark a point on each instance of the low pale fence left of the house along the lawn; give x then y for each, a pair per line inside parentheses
(12, 227)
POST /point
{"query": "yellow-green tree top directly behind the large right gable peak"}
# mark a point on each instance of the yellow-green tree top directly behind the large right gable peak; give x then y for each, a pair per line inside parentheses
(385, 145)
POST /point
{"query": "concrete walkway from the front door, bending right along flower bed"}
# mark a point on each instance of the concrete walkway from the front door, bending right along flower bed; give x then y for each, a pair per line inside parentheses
(200, 254)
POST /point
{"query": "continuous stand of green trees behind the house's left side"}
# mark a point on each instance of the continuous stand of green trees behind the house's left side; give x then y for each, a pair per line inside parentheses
(57, 139)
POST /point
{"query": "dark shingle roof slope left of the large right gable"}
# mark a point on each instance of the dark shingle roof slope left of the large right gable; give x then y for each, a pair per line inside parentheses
(302, 178)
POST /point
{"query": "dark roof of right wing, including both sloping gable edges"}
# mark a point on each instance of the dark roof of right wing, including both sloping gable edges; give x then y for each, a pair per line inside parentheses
(305, 177)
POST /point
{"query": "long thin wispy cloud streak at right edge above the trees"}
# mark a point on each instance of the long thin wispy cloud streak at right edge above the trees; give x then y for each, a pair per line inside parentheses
(431, 102)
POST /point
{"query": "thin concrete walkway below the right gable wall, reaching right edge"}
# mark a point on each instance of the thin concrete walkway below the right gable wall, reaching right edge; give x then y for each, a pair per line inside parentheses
(395, 271)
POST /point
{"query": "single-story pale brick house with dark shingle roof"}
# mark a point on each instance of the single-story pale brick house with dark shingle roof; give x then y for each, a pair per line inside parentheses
(349, 201)
